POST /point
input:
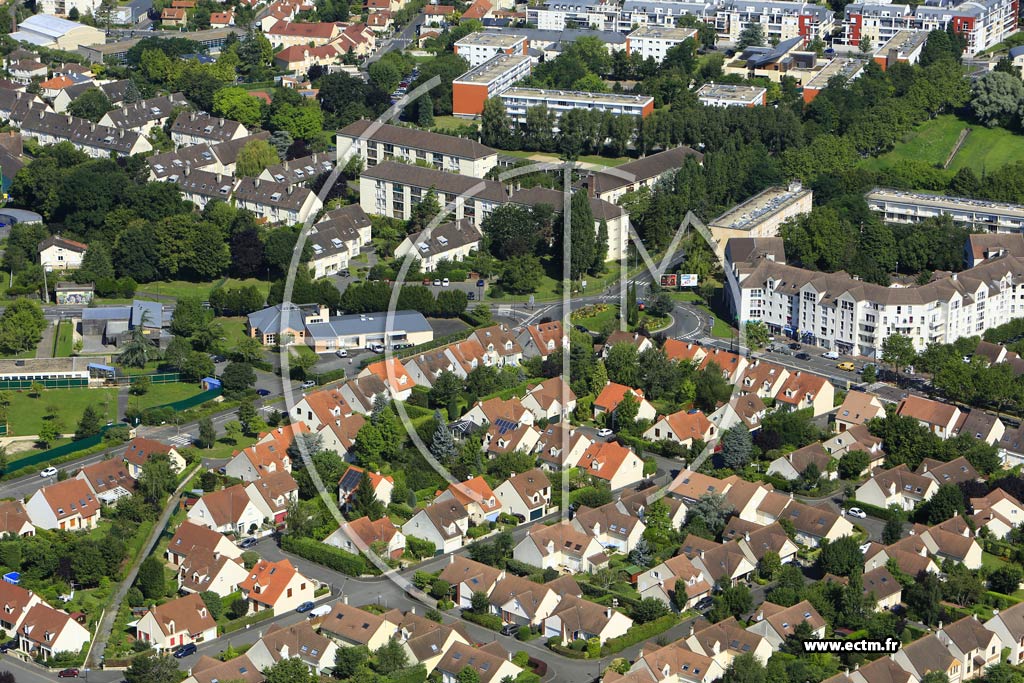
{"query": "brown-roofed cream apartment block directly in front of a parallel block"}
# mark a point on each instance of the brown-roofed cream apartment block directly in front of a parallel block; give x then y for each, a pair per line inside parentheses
(391, 189)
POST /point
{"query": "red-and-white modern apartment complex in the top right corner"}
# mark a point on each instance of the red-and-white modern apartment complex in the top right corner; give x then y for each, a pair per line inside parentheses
(984, 23)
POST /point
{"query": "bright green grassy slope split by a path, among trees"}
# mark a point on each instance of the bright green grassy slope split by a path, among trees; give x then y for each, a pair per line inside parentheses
(986, 149)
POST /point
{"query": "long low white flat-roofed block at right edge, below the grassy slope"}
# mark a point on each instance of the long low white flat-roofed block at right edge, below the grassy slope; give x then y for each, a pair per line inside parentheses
(902, 207)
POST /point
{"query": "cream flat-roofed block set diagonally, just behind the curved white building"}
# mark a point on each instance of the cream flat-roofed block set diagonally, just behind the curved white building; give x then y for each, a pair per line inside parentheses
(761, 216)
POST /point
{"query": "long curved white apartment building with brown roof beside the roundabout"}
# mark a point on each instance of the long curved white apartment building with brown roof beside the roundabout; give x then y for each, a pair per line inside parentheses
(841, 313)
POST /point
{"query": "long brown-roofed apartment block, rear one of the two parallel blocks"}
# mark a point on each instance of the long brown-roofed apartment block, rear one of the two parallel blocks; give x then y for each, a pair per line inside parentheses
(376, 143)
